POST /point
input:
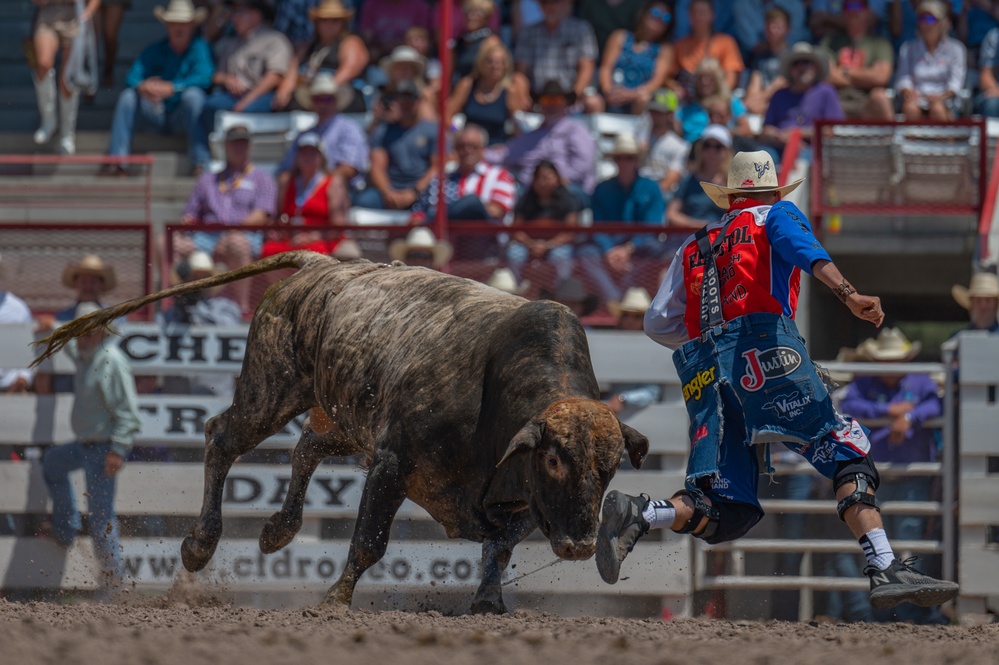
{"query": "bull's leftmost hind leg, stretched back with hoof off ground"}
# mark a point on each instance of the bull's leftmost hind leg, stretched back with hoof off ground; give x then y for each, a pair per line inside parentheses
(269, 393)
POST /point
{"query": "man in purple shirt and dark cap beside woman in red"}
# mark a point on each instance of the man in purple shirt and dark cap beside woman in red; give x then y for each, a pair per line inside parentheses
(239, 195)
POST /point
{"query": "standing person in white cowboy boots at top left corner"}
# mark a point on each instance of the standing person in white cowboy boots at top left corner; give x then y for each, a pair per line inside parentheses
(56, 25)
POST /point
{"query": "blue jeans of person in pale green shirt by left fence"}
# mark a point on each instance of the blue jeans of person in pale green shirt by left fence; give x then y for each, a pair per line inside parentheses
(57, 464)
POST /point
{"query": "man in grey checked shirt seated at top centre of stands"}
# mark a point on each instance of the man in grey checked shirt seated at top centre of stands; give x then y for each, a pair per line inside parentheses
(560, 48)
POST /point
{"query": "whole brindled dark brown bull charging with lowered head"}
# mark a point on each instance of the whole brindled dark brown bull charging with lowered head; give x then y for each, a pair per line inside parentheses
(479, 406)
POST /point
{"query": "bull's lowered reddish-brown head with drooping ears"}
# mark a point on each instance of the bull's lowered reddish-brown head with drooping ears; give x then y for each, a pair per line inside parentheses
(575, 448)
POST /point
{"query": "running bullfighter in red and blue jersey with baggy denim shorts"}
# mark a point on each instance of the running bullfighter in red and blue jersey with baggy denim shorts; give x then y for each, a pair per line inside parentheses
(726, 307)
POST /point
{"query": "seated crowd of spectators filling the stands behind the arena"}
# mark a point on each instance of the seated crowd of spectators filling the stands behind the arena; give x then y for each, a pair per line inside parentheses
(367, 70)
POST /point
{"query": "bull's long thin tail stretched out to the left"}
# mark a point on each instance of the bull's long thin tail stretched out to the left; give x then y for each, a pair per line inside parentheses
(102, 319)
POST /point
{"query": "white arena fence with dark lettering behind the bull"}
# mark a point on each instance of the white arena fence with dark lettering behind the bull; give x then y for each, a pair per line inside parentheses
(671, 568)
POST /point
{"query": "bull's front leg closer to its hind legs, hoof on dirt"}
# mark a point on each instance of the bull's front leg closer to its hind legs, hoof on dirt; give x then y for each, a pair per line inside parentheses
(384, 491)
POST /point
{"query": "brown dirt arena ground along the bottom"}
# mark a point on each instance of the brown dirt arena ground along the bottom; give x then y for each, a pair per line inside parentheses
(164, 631)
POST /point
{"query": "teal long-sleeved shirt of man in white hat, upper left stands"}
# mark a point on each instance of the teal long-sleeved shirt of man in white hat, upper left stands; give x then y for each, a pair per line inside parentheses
(192, 69)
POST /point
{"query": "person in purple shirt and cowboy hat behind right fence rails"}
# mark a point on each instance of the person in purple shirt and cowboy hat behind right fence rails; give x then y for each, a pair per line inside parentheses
(907, 401)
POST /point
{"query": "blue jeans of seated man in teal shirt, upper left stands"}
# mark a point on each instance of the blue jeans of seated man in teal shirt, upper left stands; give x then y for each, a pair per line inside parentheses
(133, 113)
